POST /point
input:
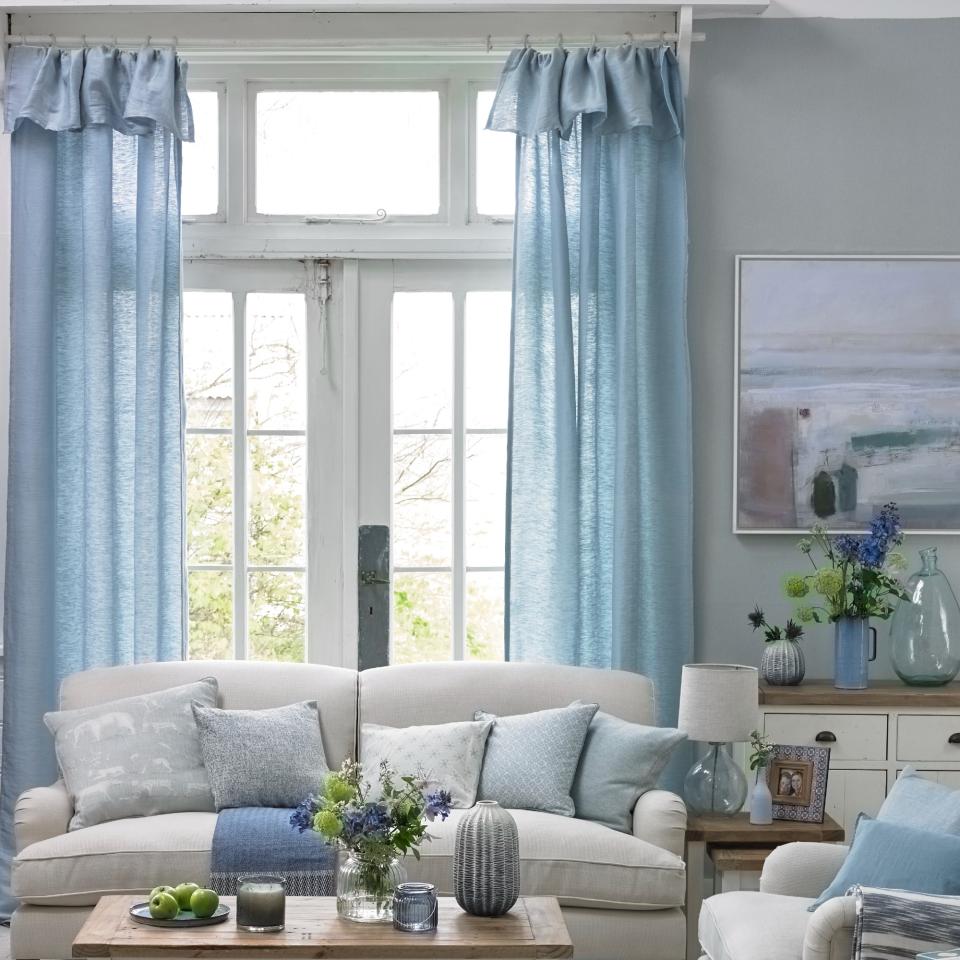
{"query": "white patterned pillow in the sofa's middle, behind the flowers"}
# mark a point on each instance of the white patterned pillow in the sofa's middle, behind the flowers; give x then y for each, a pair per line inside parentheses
(449, 755)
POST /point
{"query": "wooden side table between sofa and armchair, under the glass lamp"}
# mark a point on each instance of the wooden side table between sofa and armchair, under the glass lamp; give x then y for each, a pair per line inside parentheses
(736, 844)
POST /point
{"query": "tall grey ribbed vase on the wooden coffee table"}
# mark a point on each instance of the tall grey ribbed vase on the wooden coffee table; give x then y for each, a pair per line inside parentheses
(486, 861)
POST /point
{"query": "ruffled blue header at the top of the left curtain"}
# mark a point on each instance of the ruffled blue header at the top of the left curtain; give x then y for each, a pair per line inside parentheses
(135, 93)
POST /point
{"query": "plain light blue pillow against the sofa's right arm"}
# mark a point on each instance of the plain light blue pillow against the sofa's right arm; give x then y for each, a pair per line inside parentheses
(620, 761)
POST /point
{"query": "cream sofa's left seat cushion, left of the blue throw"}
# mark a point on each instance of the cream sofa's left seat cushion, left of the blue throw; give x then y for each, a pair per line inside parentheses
(121, 856)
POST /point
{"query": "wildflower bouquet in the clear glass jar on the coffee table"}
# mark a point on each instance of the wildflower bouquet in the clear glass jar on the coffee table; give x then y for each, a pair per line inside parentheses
(374, 827)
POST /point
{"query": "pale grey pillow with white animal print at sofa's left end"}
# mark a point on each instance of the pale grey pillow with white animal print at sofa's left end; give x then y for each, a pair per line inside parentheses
(134, 757)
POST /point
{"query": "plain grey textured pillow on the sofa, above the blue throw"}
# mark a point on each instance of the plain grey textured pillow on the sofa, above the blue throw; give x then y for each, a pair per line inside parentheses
(262, 758)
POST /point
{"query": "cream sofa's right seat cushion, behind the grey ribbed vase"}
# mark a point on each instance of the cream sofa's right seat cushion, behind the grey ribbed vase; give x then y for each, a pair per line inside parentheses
(582, 863)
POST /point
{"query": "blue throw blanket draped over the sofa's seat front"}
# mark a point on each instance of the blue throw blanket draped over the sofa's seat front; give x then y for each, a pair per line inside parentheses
(260, 840)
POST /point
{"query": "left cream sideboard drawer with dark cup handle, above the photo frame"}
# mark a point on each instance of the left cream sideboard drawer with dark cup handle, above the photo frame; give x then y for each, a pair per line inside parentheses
(850, 736)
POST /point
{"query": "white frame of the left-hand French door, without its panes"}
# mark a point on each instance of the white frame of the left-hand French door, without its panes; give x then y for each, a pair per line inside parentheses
(330, 562)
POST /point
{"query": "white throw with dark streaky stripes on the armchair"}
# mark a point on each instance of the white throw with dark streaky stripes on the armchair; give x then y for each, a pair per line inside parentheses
(895, 925)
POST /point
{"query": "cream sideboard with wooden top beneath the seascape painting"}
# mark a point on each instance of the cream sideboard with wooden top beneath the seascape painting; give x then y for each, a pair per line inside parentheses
(872, 734)
